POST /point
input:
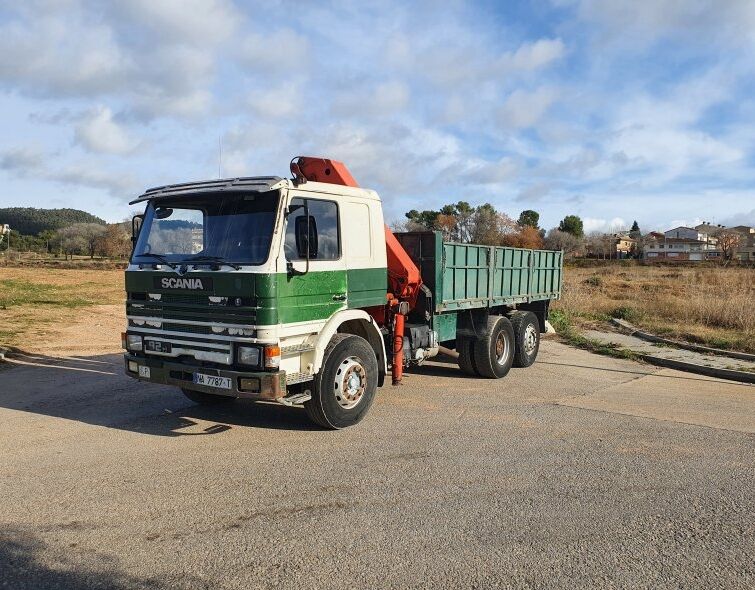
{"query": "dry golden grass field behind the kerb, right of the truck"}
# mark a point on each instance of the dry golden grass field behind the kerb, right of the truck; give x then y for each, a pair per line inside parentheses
(708, 305)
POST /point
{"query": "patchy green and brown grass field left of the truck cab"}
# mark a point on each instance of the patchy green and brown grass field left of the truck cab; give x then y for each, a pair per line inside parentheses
(36, 301)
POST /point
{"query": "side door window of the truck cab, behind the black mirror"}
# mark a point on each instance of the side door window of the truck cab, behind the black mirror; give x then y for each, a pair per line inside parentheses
(323, 240)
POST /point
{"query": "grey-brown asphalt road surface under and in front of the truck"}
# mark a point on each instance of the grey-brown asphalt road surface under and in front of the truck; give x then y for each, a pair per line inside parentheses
(582, 471)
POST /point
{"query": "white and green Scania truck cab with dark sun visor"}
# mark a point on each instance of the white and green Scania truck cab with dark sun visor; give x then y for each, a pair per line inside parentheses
(236, 287)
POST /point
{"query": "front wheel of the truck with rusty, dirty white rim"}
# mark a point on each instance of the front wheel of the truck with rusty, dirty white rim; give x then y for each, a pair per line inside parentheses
(345, 387)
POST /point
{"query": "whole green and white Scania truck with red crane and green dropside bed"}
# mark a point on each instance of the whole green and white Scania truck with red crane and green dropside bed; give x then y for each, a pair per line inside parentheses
(295, 291)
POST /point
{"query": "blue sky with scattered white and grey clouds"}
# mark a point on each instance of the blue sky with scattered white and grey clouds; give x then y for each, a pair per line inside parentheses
(615, 111)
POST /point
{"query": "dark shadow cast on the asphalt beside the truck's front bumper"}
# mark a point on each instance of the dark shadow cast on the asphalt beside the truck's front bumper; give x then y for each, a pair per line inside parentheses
(94, 390)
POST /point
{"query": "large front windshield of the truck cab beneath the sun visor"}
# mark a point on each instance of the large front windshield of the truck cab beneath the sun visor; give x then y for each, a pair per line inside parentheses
(234, 228)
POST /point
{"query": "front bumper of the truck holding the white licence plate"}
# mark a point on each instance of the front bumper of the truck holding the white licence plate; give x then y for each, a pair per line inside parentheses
(269, 385)
